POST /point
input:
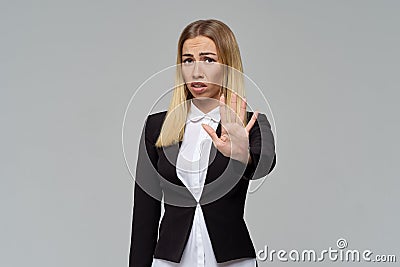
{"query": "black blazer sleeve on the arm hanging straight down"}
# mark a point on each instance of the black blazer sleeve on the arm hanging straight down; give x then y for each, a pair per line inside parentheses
(147, 202)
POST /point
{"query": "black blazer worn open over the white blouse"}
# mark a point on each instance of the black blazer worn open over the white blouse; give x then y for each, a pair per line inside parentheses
(222, 200)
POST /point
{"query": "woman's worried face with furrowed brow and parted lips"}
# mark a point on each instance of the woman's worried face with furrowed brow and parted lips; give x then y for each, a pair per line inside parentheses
(201, 67)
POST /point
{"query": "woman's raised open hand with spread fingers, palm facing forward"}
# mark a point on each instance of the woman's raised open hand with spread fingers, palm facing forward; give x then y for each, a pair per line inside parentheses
(234, 140)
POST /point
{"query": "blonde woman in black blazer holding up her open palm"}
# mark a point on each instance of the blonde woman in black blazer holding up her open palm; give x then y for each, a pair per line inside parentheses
(199, 156)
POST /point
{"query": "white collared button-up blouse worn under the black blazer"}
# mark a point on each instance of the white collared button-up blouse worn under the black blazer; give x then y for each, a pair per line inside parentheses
(192, 164)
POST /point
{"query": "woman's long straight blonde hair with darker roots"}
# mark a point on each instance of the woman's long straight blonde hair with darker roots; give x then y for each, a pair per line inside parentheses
(228, 52)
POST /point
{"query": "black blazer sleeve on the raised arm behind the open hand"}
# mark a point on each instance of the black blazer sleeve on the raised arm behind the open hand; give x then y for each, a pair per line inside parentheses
(262, 150)
